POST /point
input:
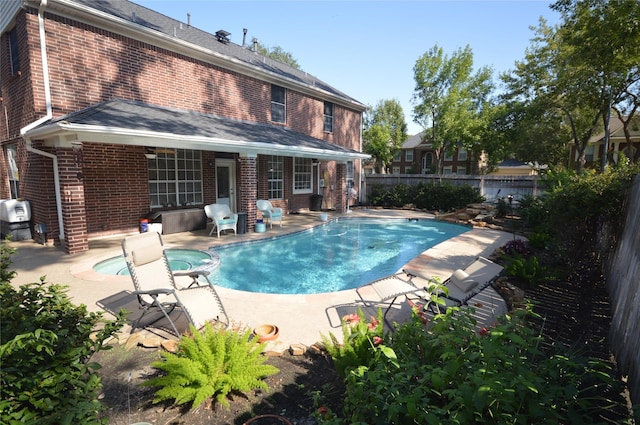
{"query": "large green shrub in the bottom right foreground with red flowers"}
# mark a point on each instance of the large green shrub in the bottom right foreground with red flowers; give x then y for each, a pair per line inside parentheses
(451, 373)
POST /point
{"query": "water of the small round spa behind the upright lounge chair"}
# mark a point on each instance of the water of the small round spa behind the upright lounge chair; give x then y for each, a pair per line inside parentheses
(179, 259)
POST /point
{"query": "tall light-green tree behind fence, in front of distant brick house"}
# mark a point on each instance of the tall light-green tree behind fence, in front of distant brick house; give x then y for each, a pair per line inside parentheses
(452, 101)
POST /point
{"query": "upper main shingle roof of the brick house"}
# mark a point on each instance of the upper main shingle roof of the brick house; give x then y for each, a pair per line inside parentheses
(153, 20)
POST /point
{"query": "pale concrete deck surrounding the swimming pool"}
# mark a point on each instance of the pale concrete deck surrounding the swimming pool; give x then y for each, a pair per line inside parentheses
(301, 318)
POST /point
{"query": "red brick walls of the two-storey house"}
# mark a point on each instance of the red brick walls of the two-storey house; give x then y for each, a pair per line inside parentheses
(88, 65)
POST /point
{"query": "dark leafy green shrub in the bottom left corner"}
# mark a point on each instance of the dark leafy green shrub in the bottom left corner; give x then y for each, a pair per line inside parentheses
(45, 346)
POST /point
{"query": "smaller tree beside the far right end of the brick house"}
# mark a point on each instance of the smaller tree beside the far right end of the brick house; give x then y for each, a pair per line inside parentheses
(384, 133)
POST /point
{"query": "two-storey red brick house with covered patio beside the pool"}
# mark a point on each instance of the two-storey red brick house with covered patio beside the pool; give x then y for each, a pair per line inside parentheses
(112, 111)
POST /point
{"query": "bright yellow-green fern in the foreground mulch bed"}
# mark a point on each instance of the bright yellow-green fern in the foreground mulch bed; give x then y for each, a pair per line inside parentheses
(211, 363)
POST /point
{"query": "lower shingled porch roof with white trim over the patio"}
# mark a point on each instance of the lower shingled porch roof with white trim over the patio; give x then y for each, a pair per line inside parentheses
(212, 130)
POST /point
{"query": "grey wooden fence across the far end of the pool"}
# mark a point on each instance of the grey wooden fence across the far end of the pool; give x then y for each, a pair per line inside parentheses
(491, 187)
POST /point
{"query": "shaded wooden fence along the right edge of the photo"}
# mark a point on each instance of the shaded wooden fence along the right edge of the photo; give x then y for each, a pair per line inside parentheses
(623, 283)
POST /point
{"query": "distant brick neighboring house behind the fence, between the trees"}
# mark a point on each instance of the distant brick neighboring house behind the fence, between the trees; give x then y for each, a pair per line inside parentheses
(418, 157)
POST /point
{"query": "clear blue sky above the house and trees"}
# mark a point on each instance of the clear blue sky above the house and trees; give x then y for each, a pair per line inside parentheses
(367, 49)
